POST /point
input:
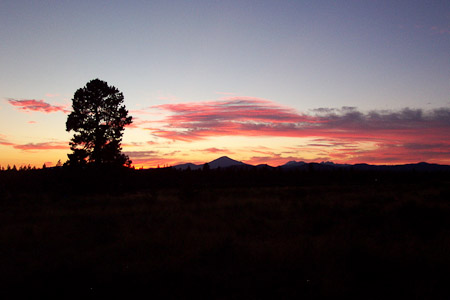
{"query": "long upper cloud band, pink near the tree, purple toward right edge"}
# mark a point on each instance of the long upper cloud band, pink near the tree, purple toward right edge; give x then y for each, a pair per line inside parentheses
(259, 117)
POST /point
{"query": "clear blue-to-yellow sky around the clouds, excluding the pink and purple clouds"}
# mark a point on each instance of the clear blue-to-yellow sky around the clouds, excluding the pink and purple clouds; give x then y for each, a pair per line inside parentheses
(371, 55)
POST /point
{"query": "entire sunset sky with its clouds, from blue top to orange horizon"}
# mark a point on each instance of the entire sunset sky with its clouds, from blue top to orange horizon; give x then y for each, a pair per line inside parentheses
(258, 81)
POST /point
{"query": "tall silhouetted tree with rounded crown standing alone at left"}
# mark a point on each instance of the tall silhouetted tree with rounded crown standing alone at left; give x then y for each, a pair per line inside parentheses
(98, 119)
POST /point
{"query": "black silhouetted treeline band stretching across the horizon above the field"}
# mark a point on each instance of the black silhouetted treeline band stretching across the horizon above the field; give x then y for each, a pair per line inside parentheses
(67, 181)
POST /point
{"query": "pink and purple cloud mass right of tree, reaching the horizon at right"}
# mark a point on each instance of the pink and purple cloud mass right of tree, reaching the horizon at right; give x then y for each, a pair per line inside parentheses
(342, 134)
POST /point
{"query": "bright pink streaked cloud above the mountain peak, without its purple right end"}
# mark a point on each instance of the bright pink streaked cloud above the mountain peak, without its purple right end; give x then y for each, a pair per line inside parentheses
(233, 116)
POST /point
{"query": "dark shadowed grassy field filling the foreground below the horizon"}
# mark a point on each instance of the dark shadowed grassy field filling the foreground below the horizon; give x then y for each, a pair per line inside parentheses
(228, 234)
